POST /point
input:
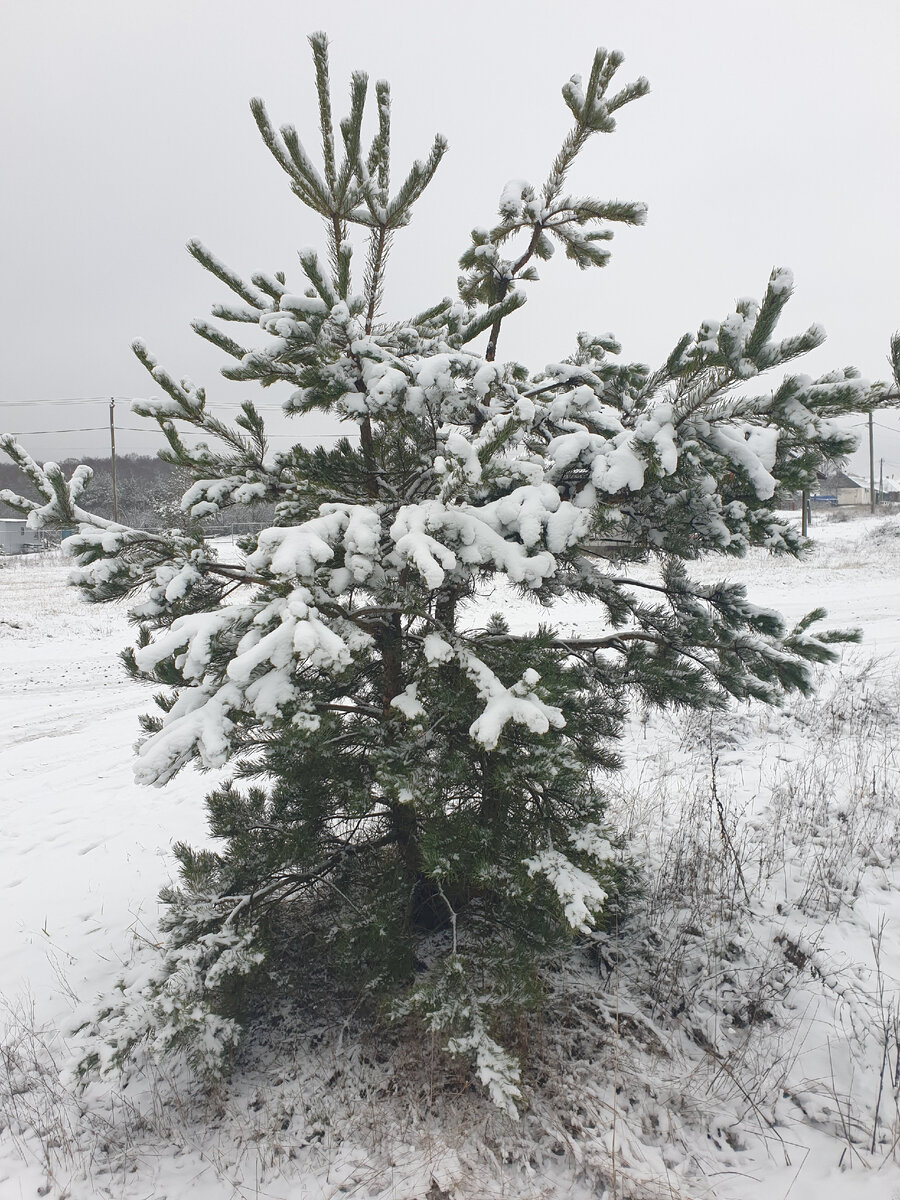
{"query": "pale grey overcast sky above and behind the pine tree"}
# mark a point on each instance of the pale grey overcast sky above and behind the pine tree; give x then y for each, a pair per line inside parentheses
(770, 139)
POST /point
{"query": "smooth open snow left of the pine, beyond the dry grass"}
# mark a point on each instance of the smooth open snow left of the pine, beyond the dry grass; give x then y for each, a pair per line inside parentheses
(83, 847)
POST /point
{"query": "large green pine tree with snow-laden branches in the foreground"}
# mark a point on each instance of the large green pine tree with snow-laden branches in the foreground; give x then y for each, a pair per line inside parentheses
(417, 795)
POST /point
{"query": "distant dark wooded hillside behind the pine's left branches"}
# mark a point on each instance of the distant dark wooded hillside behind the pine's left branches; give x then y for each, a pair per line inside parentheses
(149, 491)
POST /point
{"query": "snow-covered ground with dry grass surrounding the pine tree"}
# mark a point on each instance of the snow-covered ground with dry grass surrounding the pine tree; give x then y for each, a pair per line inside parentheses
(737, 1039)
